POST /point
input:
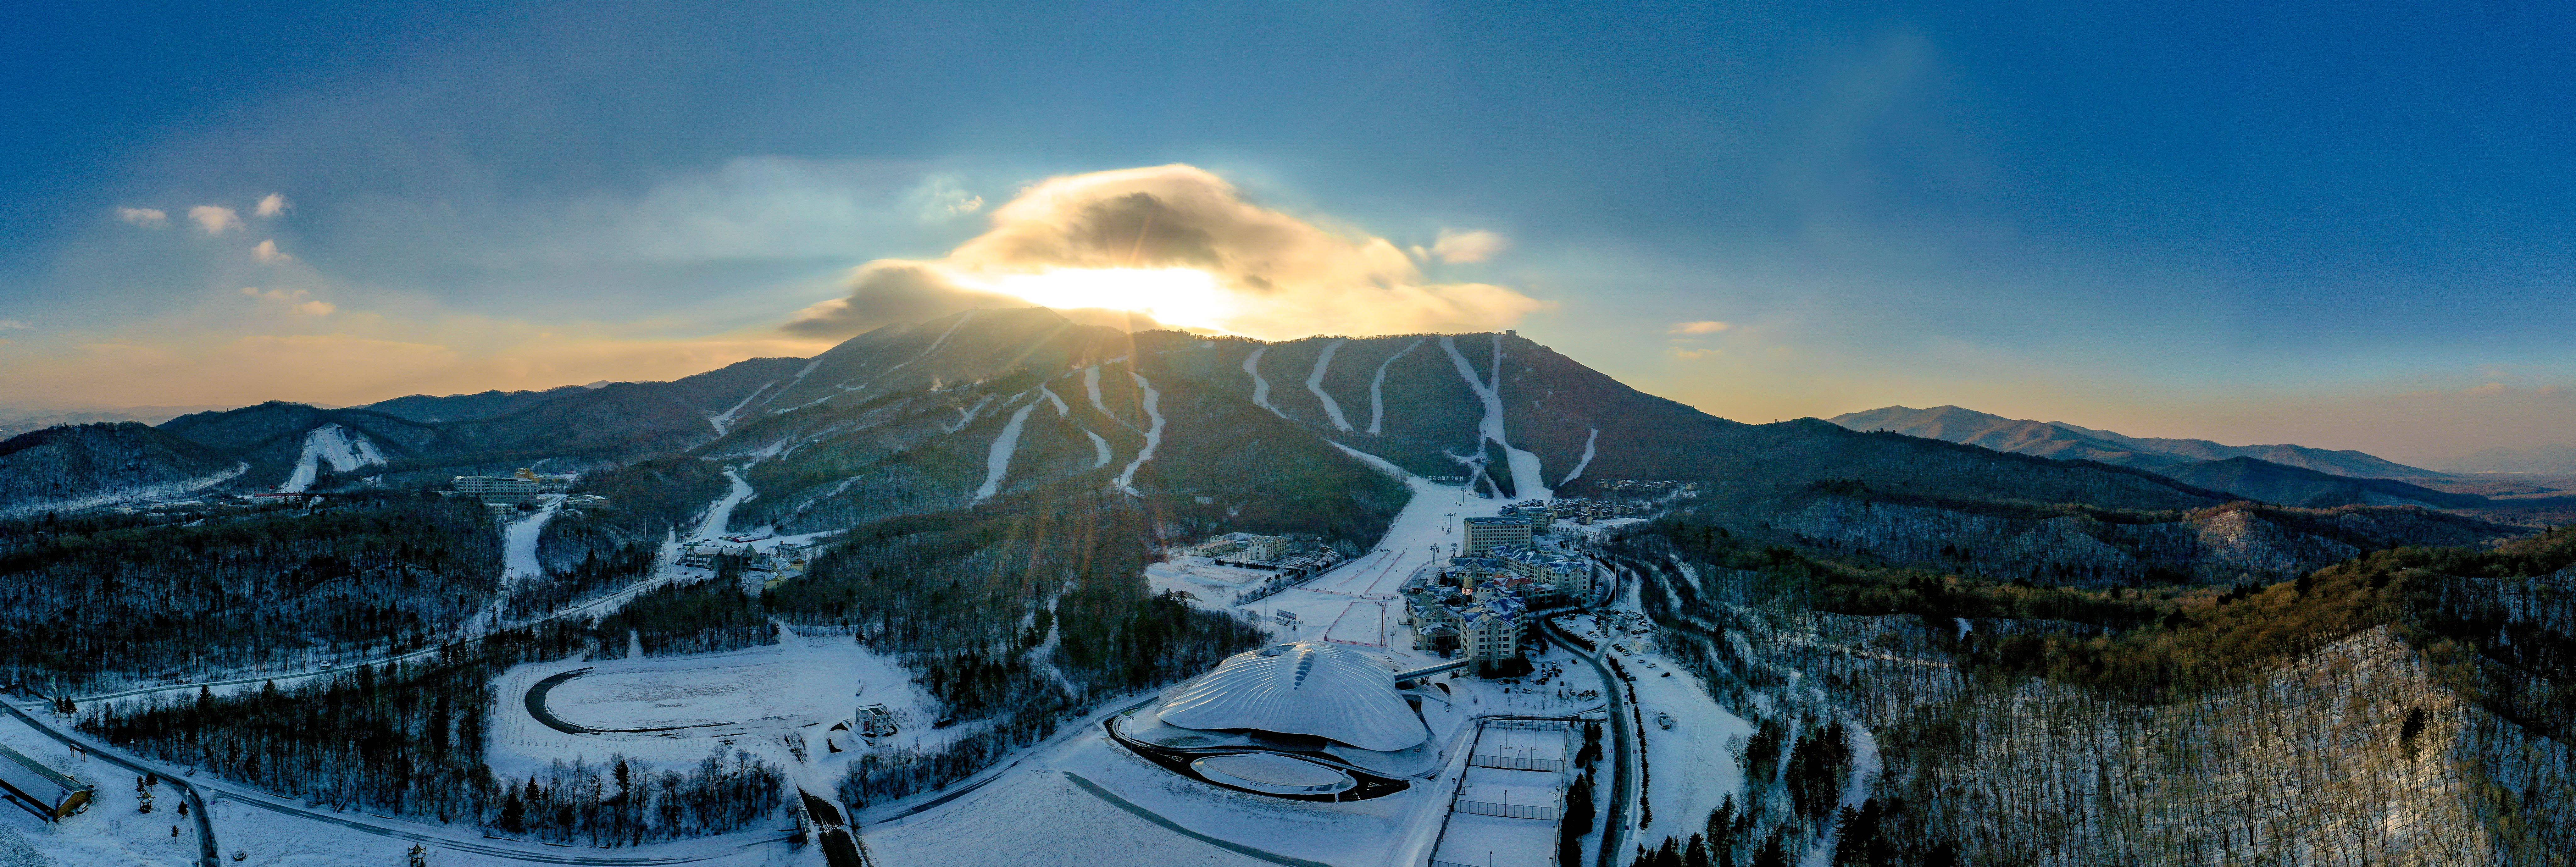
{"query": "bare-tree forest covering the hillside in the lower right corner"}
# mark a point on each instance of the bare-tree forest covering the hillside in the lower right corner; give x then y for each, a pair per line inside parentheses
(2371, 714)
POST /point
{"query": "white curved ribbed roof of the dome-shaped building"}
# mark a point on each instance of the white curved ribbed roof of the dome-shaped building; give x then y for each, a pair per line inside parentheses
(1302, 688)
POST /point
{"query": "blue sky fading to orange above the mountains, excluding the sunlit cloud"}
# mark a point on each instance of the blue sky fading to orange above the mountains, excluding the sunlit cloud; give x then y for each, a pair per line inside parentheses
(2340, 225)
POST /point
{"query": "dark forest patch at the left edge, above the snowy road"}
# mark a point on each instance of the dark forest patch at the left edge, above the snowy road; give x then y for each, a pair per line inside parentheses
(102, 603)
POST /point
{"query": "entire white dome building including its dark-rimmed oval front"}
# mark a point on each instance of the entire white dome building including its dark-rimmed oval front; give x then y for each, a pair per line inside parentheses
(1310, 711)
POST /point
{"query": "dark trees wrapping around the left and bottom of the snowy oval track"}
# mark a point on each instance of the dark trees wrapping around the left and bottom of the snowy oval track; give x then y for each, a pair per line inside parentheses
(411, 740)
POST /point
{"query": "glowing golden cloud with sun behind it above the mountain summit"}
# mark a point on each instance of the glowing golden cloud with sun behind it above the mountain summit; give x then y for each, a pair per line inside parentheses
(1179, 246)
